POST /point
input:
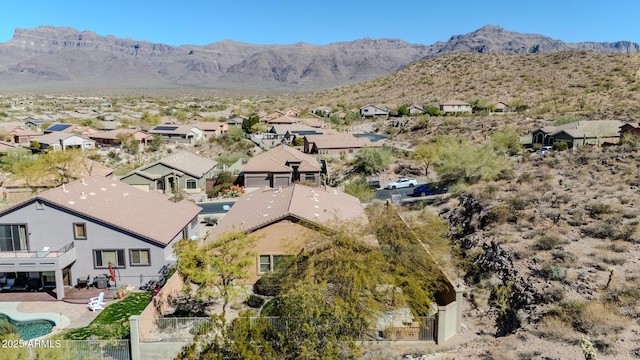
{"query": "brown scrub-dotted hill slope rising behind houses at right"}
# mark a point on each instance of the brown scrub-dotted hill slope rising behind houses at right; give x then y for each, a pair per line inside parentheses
(596, 85)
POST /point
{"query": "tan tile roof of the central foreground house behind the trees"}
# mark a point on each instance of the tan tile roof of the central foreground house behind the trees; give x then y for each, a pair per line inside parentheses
(313, 204)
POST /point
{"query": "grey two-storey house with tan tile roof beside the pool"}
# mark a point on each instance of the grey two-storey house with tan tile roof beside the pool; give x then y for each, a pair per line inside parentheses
(80, 228)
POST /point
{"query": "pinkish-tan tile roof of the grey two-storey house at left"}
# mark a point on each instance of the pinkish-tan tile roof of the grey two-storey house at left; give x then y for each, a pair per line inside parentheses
(148, 214)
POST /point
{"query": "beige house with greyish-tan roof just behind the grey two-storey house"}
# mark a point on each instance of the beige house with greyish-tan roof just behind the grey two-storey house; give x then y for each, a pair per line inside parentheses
(181, 171)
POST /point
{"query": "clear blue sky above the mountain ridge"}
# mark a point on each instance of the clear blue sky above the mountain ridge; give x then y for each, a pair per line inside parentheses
(202, 22)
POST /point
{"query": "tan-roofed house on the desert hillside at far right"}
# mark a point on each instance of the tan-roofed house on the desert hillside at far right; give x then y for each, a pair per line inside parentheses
(580, 133)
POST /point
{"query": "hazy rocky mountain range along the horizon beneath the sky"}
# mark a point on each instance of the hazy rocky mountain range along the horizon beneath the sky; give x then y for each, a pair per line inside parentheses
(63, 58)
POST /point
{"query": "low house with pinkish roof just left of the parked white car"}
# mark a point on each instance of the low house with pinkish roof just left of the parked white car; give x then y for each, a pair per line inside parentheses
(334, 144)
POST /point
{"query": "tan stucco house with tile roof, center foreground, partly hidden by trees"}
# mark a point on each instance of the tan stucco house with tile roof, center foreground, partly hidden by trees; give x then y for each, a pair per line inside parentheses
(282, 217)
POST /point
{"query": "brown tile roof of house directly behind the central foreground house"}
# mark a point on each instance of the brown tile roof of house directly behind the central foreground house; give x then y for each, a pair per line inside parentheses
(275, 160)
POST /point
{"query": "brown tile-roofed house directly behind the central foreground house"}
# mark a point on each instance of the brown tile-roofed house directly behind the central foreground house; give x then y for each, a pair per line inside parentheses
(281, 166)
